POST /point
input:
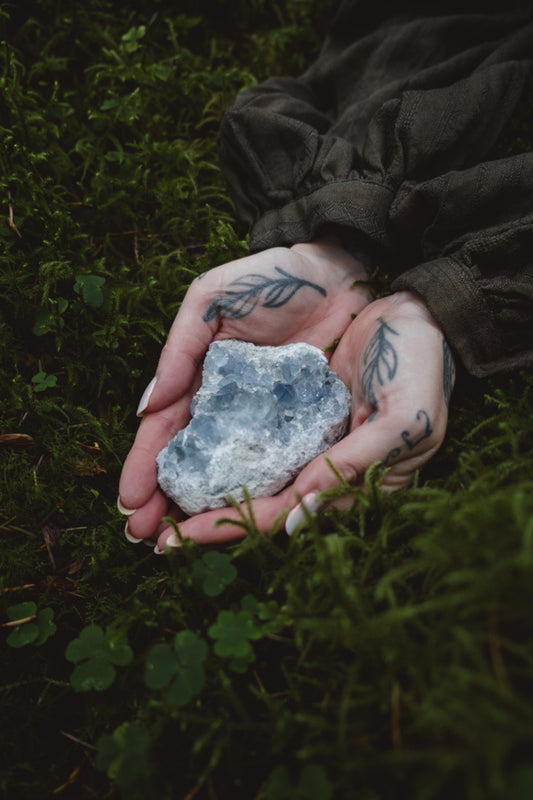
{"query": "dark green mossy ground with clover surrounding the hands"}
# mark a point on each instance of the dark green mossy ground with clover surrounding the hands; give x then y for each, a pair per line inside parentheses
(386, 651)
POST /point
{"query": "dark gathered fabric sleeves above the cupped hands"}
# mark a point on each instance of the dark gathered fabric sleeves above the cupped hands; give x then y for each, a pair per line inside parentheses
(384, 141)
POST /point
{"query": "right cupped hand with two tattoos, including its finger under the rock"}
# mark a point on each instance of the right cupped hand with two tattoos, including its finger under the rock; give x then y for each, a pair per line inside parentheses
(400, 371)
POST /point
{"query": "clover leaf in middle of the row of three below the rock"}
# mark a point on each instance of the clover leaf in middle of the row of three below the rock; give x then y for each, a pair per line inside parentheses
(179, 665)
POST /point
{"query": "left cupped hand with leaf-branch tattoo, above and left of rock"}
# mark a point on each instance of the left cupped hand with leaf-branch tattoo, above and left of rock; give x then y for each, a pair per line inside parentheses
(306, 293)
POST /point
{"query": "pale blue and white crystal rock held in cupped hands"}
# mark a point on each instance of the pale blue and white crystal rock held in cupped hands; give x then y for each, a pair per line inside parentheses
(260, 415)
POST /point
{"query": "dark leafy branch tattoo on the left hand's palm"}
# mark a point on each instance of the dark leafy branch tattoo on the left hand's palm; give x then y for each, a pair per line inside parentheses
(242, 295)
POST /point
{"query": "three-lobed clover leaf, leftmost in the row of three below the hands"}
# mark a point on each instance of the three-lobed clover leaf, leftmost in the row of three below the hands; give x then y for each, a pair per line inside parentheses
(95, 653)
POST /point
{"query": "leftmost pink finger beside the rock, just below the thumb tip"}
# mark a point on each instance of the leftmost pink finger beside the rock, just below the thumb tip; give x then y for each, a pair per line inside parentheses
(138, 480)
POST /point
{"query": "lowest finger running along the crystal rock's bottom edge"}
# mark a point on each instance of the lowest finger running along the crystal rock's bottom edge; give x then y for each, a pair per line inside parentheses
(225, 524)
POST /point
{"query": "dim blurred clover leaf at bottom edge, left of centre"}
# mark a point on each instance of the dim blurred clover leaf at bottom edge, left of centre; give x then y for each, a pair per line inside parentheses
(123, 755)
